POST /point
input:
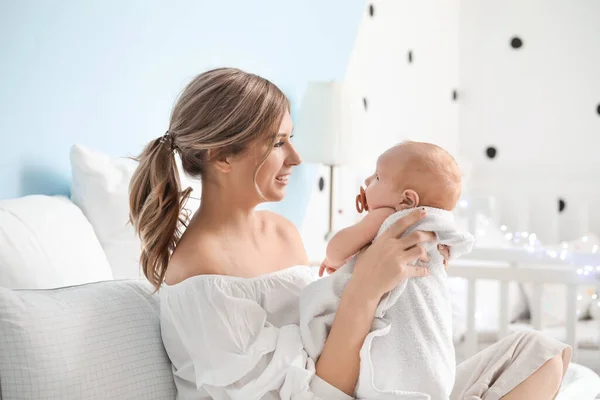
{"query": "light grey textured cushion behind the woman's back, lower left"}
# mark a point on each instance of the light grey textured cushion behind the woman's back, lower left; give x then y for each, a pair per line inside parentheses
(94, 341)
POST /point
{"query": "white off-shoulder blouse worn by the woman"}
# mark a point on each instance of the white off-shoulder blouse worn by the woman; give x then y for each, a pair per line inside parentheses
(235, 338)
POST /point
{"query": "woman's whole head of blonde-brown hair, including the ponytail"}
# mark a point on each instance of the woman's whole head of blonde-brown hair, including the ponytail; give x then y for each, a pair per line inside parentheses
(218, 114)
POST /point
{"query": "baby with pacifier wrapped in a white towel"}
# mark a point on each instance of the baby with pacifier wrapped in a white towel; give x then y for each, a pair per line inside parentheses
(409, 353)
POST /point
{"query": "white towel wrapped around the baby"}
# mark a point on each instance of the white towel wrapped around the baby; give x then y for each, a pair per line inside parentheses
(409, 352)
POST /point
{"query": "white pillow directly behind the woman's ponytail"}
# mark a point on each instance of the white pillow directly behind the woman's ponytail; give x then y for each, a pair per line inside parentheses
(101, 189)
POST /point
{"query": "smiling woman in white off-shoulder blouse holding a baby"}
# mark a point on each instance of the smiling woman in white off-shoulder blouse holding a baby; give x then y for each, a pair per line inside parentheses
(229, 285)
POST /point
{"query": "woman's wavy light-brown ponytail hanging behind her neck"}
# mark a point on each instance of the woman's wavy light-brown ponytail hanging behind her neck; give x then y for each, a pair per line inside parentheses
(155, 204)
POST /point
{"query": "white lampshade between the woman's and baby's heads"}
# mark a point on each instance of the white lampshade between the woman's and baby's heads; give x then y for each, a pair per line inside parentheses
(330, 126)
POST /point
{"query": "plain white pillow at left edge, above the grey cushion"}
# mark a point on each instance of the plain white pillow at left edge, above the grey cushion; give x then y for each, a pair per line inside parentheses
(46, 242)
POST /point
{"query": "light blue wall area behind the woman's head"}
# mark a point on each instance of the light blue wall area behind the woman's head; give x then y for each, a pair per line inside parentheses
(106, 73)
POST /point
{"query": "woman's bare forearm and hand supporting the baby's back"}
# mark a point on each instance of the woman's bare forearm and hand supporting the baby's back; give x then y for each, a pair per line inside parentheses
(378, 270)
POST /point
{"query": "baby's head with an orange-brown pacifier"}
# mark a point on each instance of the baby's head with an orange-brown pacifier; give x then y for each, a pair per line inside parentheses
(414, 174)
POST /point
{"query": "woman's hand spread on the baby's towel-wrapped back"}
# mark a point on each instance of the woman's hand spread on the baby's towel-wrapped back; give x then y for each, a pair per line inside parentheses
(385, 264)
